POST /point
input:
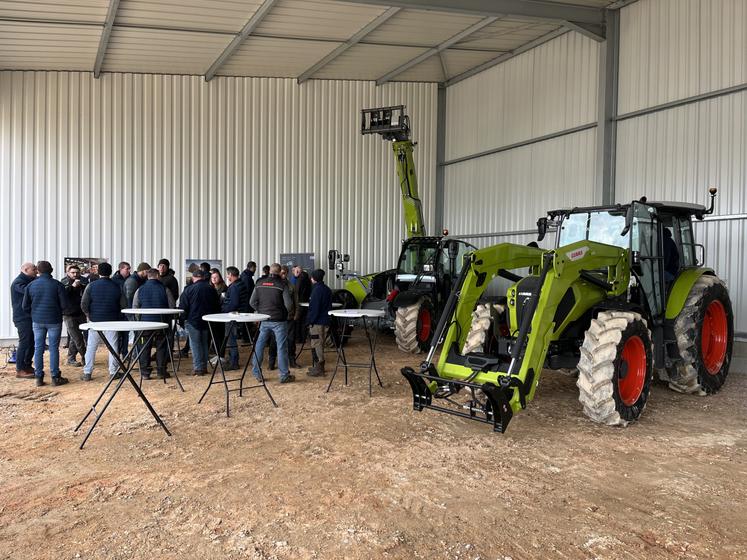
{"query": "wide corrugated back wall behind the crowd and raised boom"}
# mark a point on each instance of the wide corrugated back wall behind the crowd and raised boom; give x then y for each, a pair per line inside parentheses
(138, 167)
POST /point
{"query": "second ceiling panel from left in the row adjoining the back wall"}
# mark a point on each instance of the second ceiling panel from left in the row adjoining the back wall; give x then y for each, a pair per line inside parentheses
(164, 52)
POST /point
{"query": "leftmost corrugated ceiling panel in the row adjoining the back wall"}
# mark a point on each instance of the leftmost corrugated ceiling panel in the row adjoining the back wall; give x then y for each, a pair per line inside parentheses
(39, 46)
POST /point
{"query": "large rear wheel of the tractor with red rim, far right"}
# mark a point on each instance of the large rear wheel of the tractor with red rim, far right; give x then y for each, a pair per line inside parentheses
(705, 335)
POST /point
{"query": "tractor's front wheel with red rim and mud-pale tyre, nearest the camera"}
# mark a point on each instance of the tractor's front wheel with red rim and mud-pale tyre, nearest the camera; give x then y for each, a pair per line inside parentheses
(616, 368)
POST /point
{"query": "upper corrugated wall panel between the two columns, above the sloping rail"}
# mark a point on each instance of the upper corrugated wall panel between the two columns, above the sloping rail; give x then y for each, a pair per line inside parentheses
(547, 89)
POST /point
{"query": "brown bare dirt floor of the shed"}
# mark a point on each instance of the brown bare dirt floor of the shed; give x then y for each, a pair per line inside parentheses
(342, 475)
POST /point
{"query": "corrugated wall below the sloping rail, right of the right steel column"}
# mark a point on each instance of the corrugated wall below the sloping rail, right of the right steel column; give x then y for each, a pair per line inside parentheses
(676, 155)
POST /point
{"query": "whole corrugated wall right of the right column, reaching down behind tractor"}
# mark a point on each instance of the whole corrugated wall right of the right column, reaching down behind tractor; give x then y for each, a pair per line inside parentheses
(672, 50)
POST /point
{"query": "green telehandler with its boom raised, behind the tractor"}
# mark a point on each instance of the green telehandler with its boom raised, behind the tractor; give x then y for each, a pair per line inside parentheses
(413, 294)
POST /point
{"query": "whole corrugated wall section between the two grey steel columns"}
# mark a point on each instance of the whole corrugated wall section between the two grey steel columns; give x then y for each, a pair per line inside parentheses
(548, 89)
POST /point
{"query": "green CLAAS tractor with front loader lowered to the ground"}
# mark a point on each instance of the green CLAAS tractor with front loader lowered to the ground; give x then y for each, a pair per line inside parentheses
(621, 298)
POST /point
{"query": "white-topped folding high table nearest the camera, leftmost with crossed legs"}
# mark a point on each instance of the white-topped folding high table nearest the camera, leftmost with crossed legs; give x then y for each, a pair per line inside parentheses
(121, 326)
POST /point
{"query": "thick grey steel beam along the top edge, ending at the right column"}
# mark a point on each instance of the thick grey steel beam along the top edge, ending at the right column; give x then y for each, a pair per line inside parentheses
(532, 9)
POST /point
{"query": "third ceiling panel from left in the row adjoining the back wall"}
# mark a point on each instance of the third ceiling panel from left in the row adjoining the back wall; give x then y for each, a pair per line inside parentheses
(259, 56)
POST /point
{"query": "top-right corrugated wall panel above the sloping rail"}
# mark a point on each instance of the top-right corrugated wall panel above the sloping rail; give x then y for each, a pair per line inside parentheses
(674, 49)
